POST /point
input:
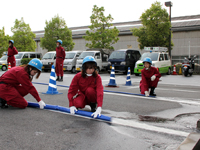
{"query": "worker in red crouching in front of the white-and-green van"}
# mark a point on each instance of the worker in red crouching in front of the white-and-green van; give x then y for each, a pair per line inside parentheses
(150, 78)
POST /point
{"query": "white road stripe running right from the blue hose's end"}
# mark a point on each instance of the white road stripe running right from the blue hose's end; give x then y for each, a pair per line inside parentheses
(141, 125)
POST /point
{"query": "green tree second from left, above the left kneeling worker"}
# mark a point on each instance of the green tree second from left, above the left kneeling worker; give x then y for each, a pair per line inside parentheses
(23, 36)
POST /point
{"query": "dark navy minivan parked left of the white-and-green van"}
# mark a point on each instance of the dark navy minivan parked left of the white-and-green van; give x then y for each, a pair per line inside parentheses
(122, 59)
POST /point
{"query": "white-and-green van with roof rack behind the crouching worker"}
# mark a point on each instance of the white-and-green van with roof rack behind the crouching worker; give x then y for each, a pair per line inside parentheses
(160, 59)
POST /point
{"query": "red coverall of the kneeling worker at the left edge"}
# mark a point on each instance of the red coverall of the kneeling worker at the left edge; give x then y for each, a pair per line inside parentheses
(16, 84)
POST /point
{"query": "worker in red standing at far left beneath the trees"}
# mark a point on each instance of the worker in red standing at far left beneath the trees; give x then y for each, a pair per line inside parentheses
(11, 52)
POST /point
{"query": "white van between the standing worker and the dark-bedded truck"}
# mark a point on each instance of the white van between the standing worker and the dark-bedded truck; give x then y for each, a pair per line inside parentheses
(70, 60)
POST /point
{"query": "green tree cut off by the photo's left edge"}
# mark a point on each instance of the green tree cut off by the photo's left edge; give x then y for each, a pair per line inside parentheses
(3, 41)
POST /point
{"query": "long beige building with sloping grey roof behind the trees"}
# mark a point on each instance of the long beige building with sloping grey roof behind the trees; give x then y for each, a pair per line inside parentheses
(186, 37)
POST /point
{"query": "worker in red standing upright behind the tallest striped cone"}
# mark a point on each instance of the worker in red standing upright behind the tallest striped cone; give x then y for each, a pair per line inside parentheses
(60, 57)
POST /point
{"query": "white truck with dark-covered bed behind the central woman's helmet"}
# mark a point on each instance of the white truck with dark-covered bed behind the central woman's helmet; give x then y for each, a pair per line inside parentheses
(101, 56)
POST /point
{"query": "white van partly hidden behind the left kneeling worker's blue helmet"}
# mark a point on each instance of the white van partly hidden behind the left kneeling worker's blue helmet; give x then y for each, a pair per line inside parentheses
(22, 55)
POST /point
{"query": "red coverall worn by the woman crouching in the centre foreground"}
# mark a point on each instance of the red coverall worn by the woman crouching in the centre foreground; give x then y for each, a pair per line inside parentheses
(89, 89)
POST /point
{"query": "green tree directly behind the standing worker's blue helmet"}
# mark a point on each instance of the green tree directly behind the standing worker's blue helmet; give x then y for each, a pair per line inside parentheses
(57, 29)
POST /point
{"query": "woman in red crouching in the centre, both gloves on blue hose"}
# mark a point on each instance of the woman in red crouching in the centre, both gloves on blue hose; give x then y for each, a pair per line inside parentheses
(86, 88)
